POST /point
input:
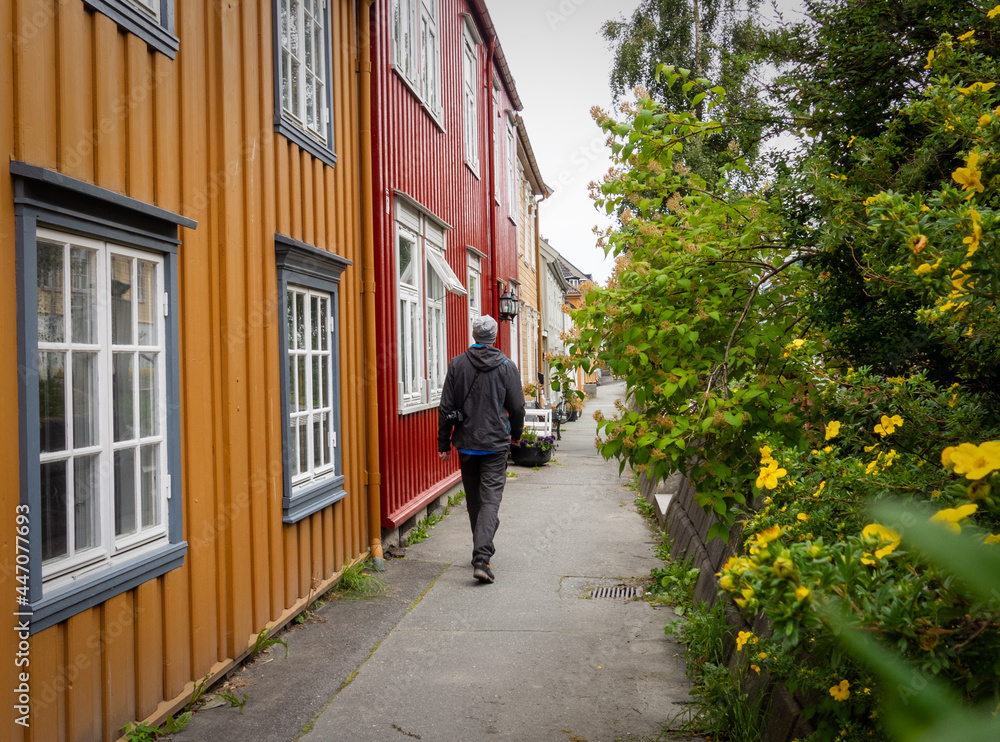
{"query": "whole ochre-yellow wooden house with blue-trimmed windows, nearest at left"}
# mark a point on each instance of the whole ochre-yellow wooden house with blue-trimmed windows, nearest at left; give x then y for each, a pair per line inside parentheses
(186, 305)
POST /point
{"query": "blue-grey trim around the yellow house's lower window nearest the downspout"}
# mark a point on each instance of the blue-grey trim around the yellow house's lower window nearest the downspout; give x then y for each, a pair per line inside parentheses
(300, 264)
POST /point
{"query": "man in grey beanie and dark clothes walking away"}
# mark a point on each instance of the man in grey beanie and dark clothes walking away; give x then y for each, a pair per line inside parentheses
(481, 412)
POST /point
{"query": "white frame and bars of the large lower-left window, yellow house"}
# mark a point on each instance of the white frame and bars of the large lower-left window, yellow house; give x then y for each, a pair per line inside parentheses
(110, 548)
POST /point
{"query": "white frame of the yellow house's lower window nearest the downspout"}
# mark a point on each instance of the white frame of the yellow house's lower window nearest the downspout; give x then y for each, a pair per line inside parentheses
(316, 305)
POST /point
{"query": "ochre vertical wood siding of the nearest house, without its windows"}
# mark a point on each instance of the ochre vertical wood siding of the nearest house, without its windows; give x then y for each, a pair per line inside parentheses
(193, 135)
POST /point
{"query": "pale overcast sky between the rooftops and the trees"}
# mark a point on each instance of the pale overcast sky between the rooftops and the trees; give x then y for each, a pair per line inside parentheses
(560, 65)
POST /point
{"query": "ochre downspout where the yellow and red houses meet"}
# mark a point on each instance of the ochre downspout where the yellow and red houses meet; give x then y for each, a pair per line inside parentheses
(368, 284)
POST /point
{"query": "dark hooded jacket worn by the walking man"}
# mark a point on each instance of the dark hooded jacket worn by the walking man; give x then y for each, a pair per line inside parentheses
(493, 411)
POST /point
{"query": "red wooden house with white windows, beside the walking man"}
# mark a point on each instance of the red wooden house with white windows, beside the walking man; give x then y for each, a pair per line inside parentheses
(445, 195)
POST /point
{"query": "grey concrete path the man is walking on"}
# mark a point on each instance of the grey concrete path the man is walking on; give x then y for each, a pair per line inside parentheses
(529, 658)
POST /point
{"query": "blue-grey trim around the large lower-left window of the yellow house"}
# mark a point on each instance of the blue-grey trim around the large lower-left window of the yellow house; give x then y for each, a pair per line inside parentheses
(43, 198)
